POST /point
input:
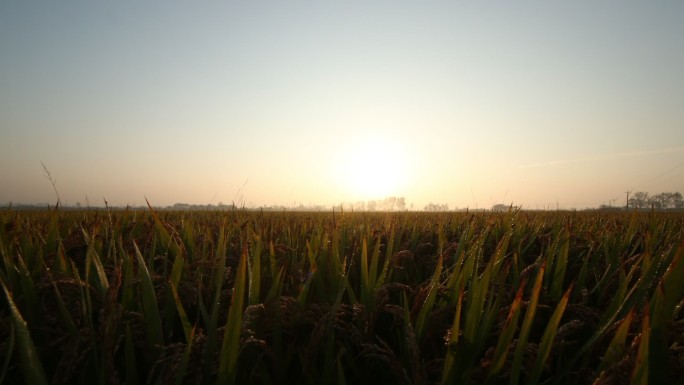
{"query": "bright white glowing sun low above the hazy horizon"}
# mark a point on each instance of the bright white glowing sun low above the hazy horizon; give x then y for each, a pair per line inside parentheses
(371, 168)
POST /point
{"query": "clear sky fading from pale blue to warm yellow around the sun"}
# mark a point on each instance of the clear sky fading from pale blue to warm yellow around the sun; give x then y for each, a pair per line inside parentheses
(532, 103)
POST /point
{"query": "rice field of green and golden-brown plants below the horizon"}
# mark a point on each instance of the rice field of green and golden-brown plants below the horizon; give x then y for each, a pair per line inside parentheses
(247, 297)
